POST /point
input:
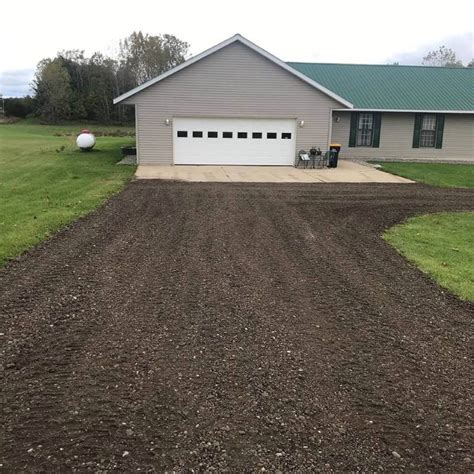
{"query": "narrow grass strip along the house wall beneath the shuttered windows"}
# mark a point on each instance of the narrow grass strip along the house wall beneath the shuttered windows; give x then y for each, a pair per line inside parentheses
(436, 174)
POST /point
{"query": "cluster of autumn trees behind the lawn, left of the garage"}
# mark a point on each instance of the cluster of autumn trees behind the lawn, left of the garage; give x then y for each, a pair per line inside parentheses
(72, 86)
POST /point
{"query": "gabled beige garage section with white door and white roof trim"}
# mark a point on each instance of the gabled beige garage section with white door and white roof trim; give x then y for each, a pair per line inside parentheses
(234, 104)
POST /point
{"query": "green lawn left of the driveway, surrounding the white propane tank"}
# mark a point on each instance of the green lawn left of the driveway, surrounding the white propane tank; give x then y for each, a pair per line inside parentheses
(45, 182)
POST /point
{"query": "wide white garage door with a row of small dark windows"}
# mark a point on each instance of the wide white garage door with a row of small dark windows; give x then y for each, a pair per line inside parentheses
(217, 141)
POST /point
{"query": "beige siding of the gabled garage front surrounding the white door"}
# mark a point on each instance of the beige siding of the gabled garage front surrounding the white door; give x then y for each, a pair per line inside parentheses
(233, 82)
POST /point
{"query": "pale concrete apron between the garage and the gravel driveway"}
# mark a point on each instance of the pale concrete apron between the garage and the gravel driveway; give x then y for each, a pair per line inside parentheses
(346, 172)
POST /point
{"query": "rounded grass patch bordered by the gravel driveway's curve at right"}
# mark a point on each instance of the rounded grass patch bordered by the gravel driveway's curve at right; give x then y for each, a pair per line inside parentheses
(441, 245)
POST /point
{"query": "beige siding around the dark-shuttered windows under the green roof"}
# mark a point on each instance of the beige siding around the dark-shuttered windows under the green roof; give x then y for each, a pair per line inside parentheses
(396, 138)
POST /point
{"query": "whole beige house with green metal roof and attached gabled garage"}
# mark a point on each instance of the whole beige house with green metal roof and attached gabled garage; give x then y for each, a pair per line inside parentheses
(236, 104)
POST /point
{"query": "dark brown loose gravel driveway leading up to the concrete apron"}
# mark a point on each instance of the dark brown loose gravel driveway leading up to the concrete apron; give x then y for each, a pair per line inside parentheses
(236, 327)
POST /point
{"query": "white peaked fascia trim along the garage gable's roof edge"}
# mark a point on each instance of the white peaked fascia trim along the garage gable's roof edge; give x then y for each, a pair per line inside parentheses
(219, 46)
